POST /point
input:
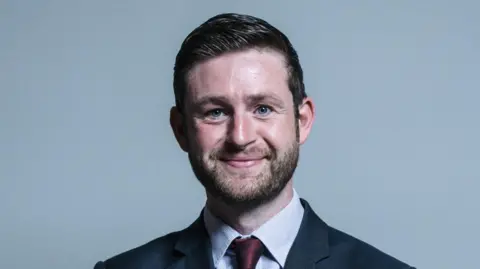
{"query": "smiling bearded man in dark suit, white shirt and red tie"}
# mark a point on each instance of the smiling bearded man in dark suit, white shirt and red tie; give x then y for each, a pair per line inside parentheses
(241, 115)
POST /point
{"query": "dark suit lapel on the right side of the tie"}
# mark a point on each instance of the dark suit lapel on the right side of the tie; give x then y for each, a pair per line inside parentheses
(311, 243)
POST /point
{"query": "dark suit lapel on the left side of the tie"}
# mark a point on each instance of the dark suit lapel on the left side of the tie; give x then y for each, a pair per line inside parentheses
(194, 247)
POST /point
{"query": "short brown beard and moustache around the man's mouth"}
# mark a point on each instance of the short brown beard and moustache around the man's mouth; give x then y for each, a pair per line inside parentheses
(245, 189)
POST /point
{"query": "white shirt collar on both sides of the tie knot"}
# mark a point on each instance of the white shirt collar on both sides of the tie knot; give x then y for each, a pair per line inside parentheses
(277, 234)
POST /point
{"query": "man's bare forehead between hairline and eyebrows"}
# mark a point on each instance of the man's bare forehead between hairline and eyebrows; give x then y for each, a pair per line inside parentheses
(237, 74)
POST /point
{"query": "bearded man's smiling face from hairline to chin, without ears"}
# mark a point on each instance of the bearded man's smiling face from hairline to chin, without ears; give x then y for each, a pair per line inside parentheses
(239, 126)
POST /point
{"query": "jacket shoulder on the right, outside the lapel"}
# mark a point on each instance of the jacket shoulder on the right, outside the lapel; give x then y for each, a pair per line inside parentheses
(359, 254)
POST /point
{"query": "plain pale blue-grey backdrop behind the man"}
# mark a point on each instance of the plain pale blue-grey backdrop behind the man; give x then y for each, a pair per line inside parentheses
(89, 166)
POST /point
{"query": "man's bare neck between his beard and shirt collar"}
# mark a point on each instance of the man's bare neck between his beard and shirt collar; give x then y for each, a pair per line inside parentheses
(245, 221)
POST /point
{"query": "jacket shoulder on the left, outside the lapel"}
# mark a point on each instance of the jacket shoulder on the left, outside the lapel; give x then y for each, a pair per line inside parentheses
(158, 252)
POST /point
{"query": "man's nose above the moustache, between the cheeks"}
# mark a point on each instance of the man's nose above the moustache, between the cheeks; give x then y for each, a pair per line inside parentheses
(241, 131)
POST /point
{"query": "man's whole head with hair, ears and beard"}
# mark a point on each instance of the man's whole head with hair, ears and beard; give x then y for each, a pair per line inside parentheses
(241, 109)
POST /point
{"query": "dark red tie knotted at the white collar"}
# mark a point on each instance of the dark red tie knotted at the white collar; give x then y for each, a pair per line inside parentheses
(247, 252)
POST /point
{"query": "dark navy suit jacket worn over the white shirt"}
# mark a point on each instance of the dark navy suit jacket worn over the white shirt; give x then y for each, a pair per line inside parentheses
(316, 246)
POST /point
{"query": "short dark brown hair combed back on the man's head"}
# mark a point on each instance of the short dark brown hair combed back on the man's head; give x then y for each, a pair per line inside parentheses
(231, 32)
